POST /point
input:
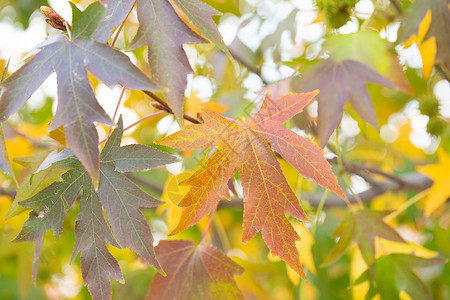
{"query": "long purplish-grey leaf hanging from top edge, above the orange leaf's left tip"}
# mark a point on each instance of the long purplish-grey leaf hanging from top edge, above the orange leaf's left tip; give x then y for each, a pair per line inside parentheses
(164, 33)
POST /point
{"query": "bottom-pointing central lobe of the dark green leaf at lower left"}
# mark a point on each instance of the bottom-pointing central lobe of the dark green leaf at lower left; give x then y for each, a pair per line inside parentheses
(92, 231)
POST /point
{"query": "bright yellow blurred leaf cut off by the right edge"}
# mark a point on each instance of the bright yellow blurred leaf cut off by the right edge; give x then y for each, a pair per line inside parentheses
(439, 173)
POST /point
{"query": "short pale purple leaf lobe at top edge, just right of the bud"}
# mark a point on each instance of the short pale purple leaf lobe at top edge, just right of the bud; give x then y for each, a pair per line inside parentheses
(116, 13)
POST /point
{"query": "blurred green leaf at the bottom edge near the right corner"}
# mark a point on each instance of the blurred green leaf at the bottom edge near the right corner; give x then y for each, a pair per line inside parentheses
(393, 274)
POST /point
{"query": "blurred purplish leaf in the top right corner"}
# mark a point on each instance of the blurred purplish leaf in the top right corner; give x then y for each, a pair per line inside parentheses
(435, 31)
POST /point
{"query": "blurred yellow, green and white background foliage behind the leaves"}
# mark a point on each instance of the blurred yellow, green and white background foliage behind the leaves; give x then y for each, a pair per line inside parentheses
(271, 40)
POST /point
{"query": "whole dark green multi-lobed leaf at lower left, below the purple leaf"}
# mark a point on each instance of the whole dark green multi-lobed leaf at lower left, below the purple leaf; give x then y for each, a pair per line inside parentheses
(121, 200)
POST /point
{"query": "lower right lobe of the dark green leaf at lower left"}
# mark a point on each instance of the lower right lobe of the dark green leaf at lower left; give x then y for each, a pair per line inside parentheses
(121, 199)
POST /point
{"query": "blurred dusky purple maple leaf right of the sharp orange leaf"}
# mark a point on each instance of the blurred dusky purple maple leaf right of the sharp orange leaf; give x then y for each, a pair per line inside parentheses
(338, 82)
